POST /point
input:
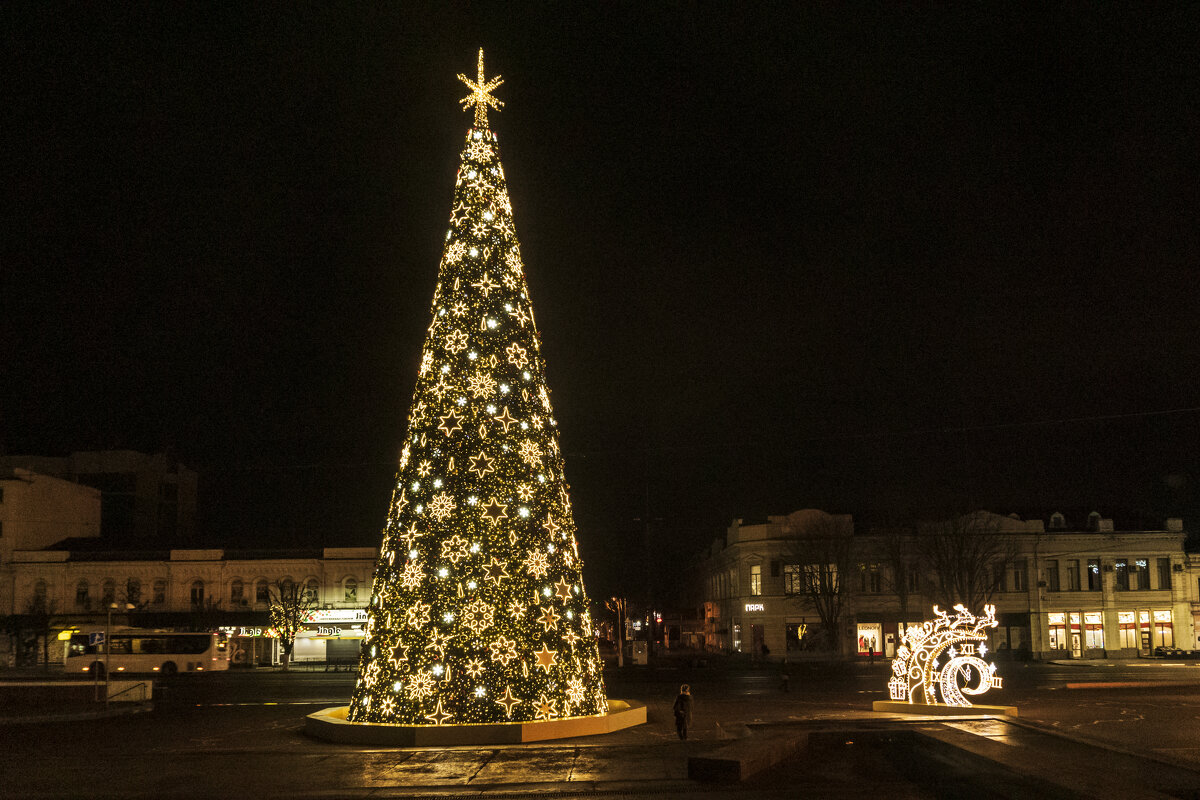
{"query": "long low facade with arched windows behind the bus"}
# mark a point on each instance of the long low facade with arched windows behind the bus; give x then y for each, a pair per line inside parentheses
(194, 590)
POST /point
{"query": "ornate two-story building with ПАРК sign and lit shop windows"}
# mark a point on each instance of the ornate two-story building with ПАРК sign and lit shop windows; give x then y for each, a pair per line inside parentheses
(1063, 594)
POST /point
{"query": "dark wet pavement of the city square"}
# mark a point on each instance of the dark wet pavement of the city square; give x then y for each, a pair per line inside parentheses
(1088, 727)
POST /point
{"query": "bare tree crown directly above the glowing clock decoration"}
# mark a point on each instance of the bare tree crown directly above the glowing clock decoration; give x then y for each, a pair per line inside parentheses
(968, 558)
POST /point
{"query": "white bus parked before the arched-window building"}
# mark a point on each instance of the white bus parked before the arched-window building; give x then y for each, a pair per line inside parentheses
(148, 652)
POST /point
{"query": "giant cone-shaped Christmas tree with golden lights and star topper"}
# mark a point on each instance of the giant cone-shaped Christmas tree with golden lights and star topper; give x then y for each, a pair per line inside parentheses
(478, 612)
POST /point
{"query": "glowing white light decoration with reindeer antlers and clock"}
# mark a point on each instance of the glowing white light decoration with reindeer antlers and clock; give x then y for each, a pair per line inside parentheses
(920, 670)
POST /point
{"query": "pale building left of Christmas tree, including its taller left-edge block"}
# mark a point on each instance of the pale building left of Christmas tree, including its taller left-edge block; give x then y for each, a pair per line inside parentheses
(59, 573)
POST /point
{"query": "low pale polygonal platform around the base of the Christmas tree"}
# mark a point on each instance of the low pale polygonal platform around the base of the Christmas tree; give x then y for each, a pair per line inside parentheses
(333, 726)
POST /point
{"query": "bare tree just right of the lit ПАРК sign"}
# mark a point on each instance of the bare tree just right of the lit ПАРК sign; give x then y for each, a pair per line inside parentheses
(820, 551)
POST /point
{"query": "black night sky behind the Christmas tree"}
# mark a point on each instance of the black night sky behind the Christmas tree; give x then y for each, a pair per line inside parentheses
(883, 262)
